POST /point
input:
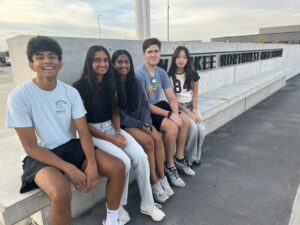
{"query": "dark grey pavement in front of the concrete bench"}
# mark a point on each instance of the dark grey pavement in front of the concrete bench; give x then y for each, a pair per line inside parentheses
(249, 175)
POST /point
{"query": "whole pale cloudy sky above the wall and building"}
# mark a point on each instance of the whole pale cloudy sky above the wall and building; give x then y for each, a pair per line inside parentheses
(188, 19)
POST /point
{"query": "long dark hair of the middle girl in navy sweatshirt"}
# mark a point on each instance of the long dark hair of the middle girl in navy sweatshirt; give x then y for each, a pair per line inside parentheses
(130, 82)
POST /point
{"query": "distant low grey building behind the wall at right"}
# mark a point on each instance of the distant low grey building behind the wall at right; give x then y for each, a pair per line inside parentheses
(281, 34)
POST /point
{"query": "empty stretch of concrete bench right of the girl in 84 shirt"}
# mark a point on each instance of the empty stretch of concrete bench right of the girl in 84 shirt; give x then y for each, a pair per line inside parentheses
(223, 104)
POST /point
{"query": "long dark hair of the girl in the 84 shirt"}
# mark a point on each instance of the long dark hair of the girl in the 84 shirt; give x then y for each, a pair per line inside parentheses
(188, 68)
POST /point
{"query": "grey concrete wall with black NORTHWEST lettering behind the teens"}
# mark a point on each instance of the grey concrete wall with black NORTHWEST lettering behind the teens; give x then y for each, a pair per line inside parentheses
(74, 51)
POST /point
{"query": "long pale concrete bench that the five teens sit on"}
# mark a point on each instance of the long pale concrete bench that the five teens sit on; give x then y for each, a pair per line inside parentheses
(217, 107)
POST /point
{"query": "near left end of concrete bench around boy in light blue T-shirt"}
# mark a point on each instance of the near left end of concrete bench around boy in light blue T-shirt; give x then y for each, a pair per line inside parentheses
(15, 207)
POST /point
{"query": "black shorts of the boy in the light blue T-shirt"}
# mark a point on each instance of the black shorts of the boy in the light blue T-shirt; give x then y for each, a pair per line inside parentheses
(71, 152)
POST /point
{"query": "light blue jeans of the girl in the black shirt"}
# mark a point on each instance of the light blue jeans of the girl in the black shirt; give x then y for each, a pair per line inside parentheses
(132, 152)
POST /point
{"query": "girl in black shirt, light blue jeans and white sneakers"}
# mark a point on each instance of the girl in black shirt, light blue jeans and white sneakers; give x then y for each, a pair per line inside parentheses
(97, 89)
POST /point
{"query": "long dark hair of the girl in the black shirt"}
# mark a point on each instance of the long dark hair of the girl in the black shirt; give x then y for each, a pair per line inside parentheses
(108, 82)
